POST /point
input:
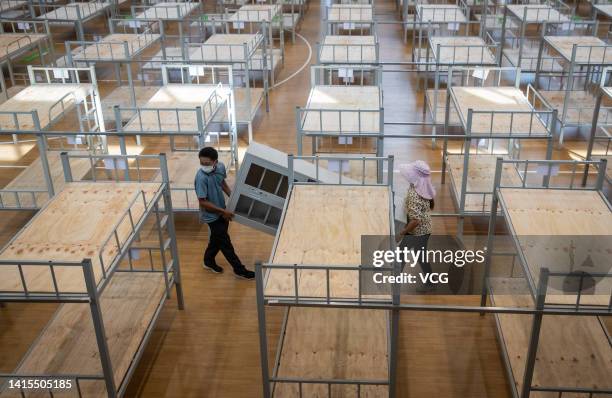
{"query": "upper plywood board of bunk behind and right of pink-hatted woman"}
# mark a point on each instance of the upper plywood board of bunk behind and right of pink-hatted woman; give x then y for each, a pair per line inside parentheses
(506, 99)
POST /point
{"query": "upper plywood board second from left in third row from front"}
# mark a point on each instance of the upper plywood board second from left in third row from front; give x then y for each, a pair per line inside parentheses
(112, 47)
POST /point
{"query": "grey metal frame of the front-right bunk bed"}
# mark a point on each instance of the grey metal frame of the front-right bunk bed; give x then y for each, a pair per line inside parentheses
(538, 292)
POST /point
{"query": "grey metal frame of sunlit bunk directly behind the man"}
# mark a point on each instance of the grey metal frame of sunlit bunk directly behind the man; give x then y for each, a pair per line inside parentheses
(222, 98)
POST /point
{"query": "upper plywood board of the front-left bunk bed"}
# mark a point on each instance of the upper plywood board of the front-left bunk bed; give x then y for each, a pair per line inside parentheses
(59, 232)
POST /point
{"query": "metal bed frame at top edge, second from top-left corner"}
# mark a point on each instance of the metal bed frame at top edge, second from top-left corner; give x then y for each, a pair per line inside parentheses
(80, 20)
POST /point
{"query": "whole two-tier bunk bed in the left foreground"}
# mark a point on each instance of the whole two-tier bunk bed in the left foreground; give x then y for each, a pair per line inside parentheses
(97, 335)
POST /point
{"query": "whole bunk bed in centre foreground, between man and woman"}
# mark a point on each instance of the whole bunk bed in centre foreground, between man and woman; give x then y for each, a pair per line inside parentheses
(308, 362)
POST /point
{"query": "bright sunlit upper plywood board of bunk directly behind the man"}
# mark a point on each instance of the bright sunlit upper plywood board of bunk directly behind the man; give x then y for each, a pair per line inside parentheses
(172, 96)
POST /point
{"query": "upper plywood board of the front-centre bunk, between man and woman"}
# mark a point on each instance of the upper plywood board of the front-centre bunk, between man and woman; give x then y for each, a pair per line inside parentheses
(333, 237)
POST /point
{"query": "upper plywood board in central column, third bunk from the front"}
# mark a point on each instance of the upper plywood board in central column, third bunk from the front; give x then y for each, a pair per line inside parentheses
(348, 49)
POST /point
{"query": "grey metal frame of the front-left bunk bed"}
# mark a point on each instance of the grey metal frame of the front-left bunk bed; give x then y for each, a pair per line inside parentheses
(159, 207)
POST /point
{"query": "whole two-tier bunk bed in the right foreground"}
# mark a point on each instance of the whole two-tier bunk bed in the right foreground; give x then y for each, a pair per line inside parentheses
(564, 354)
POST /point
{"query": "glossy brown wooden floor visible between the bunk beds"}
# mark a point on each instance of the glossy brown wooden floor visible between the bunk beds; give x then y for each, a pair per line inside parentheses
(211, 350)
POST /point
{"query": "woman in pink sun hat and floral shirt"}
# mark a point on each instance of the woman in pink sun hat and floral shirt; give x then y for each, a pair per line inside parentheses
(418, 204)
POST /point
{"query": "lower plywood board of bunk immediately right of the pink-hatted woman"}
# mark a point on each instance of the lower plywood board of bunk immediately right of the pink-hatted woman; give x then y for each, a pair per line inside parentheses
(481, 177)
